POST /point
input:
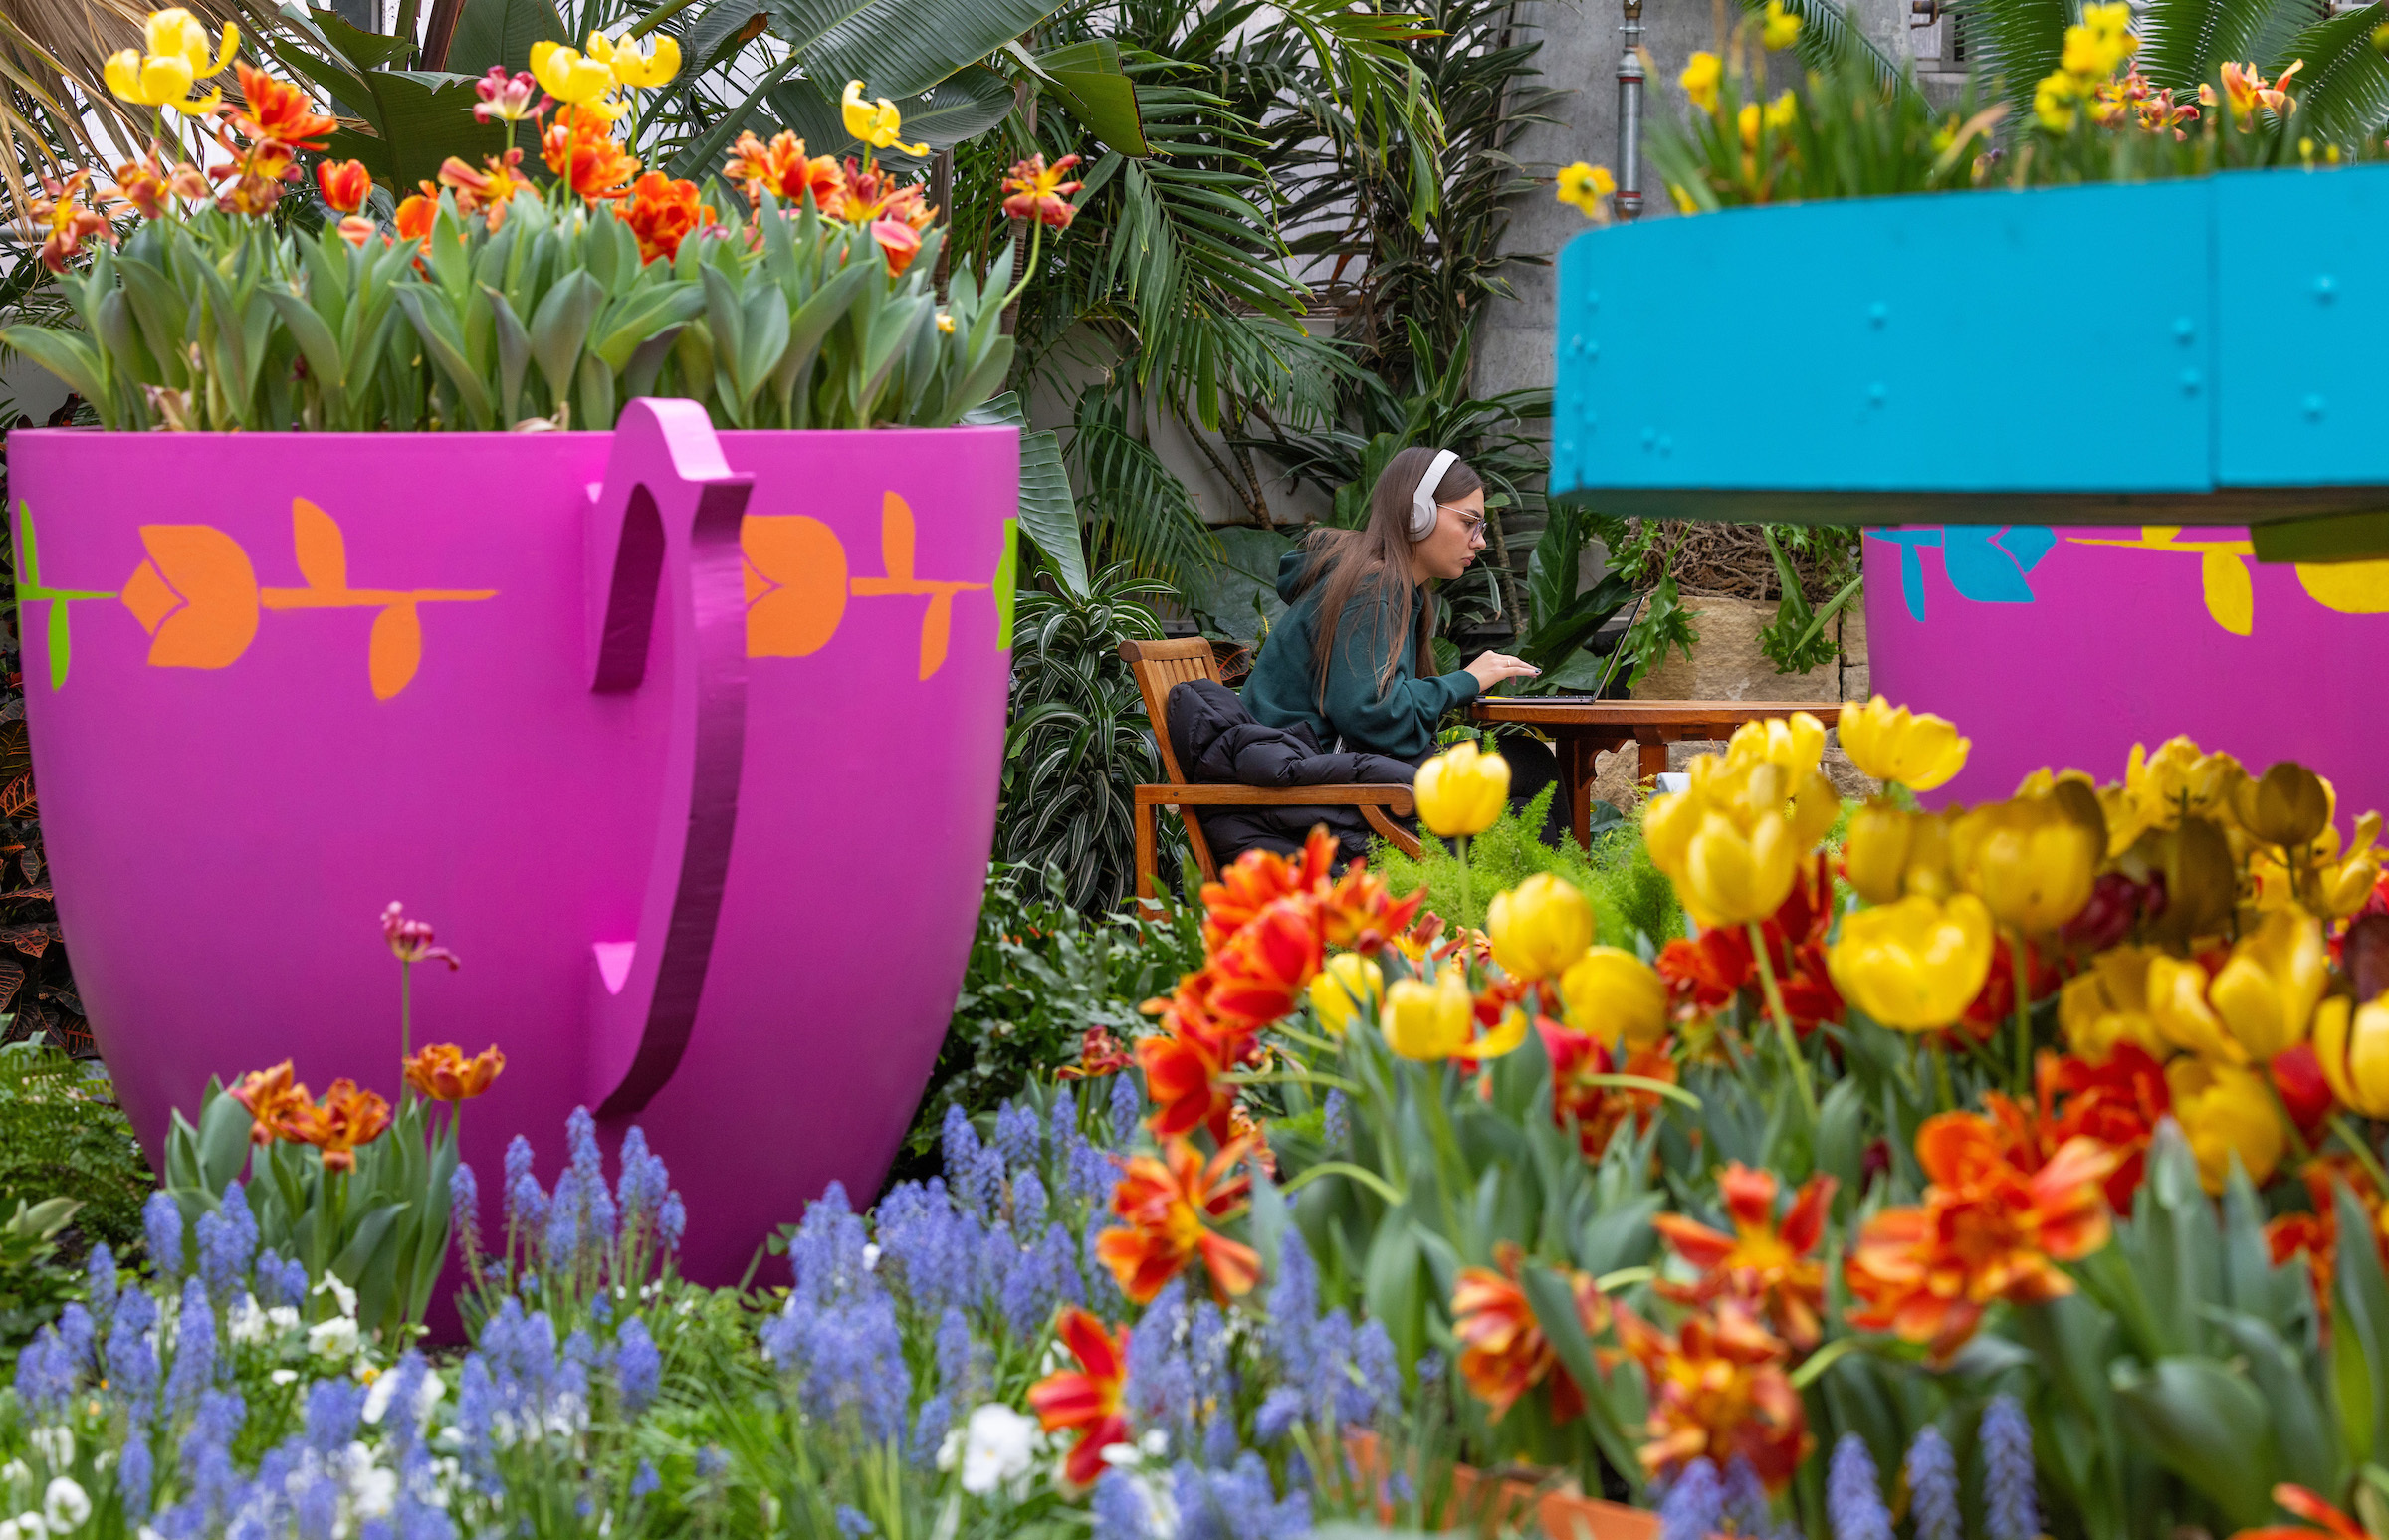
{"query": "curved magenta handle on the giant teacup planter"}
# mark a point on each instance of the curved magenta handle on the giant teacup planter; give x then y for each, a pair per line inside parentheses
(665, 529)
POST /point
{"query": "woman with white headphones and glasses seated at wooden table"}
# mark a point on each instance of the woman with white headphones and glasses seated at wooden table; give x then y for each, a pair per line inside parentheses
(1353, 658)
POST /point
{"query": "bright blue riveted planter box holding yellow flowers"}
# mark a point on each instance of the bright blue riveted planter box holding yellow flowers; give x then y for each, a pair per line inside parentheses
(2173, 352)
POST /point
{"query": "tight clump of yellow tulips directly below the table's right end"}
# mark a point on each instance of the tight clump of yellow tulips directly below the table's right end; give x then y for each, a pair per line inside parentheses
(1738, 834)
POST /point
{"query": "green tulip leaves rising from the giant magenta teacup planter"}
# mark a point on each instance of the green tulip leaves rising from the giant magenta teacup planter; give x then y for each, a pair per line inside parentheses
(551, 319)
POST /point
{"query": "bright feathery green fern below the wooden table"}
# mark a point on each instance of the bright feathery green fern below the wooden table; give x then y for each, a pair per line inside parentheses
(1630, 897)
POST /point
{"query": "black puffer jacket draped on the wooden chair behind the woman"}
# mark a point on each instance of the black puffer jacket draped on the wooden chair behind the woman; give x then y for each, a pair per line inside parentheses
(1222, 746)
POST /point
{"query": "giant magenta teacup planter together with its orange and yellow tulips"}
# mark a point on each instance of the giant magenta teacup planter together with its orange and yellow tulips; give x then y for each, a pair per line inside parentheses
(594, 560)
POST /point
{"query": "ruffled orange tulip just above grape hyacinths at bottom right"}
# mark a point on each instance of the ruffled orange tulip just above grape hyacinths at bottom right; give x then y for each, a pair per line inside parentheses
(1719, 1391)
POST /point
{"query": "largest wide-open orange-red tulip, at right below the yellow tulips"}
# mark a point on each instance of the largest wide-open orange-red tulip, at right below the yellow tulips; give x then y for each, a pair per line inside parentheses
(1986, 1231)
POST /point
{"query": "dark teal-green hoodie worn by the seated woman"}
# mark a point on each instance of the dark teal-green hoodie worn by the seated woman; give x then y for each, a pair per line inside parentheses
(1399, 720)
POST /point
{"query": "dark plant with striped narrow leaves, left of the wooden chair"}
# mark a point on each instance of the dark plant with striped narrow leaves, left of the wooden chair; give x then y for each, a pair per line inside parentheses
(1076, 741)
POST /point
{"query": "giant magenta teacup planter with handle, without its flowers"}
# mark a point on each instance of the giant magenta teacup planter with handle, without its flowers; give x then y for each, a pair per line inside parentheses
(684, 741)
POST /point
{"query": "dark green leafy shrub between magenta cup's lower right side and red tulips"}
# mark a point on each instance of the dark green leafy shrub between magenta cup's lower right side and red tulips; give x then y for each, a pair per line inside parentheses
(1040, 978)
